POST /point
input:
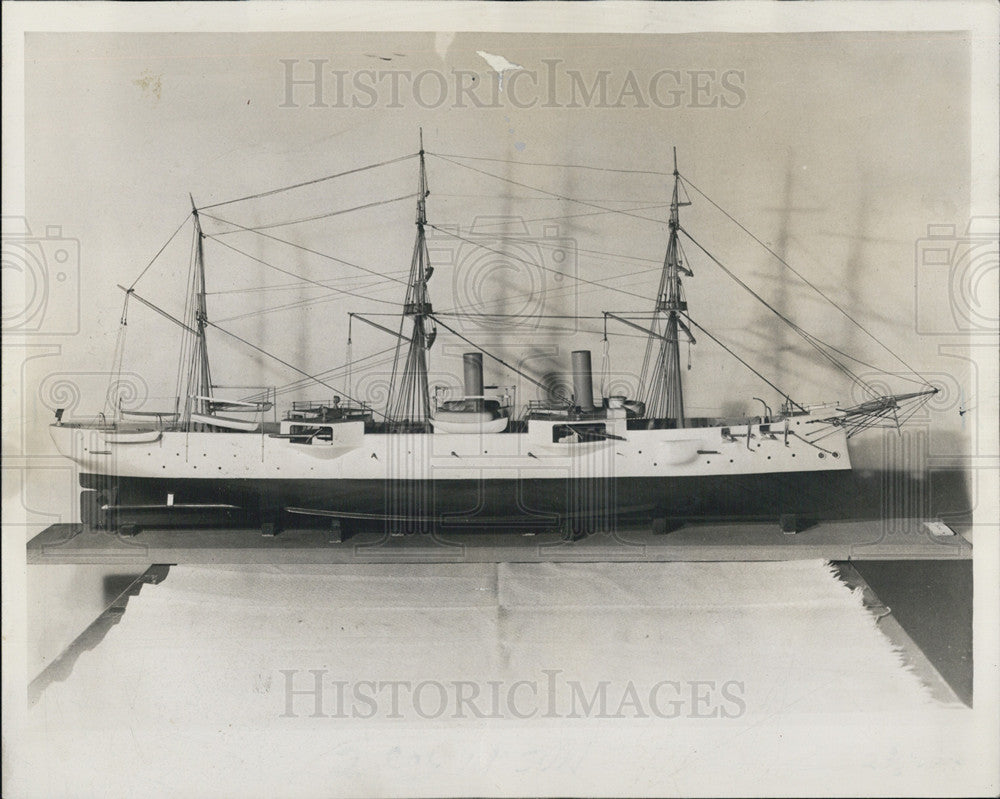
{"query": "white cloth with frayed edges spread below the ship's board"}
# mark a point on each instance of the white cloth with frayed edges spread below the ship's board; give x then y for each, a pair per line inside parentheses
(579, 679)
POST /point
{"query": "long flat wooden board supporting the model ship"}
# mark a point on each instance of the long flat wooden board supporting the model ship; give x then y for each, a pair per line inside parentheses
(899, 539)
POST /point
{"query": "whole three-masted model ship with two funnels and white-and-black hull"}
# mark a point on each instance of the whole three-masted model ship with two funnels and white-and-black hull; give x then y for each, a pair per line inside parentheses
(476, 457)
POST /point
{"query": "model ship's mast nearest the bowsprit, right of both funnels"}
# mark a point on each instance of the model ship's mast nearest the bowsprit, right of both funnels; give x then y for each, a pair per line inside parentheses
(665, 397)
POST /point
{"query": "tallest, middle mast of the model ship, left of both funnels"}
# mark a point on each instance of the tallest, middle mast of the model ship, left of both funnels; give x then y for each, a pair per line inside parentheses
(410, 400)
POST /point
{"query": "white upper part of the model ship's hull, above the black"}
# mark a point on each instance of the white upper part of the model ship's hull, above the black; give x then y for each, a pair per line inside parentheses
(352, 454)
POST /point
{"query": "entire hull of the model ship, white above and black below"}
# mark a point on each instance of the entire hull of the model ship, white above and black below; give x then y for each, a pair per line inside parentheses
(531, 478)
